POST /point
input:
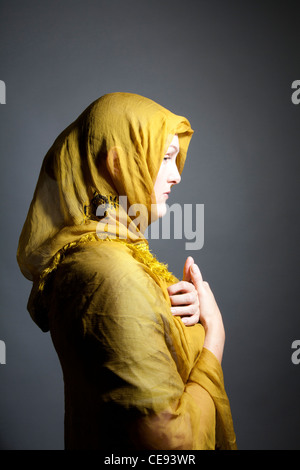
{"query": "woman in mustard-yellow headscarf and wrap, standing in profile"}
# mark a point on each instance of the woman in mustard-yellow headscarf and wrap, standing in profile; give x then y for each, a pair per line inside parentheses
(140, 370)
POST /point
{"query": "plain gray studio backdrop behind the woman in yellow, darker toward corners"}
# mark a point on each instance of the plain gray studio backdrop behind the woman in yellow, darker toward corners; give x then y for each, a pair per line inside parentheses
(226, 65)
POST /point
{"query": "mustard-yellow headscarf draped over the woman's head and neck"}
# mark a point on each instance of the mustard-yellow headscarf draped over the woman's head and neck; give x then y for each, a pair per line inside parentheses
(113, 149)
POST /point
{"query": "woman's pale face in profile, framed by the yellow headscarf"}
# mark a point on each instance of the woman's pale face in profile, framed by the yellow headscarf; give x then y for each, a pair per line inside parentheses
(168, 175)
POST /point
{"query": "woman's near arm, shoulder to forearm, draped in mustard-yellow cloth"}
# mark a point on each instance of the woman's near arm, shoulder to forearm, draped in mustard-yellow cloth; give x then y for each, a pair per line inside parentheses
(141, 358)
